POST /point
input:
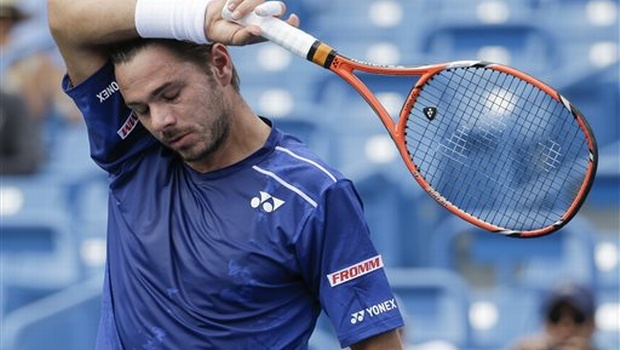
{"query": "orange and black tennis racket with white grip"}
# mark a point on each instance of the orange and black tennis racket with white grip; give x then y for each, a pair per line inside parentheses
(493, 145)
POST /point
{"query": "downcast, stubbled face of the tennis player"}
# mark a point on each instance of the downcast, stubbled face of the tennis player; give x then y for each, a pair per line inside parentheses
(176, 101)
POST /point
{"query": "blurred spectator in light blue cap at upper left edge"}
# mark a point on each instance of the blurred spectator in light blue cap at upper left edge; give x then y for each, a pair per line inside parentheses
(30, 69)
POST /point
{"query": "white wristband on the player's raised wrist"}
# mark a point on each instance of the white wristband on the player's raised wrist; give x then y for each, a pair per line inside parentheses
(172, 19)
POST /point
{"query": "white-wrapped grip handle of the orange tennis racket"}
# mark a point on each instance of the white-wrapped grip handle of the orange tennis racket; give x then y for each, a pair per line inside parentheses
(275, 30)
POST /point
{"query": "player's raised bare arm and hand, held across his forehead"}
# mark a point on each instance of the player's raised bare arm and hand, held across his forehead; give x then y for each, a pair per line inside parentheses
(82, 29)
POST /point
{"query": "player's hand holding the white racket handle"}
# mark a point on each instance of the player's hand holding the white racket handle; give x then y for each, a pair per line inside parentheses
(226, 32)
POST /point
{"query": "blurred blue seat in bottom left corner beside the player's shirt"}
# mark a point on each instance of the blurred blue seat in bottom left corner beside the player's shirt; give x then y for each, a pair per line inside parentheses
(66, 320)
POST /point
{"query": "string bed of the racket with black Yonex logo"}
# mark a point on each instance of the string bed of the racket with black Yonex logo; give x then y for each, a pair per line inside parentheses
(498, 142)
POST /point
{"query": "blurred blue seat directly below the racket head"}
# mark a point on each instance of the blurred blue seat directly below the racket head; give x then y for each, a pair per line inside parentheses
(491, 260)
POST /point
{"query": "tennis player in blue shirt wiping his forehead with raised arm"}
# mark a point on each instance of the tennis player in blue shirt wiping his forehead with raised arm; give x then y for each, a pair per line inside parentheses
(223, 232)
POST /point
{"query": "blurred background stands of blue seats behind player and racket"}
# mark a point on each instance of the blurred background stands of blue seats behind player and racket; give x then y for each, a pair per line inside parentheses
(456, 284)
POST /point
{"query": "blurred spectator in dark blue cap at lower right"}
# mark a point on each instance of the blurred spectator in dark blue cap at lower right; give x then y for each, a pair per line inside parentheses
(569, 321)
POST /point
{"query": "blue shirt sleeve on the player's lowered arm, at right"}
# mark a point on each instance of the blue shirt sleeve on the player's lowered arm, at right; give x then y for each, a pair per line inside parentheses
(344, 269)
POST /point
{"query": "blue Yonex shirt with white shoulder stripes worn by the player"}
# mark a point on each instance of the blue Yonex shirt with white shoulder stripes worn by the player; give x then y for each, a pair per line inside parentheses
(243, 257)
